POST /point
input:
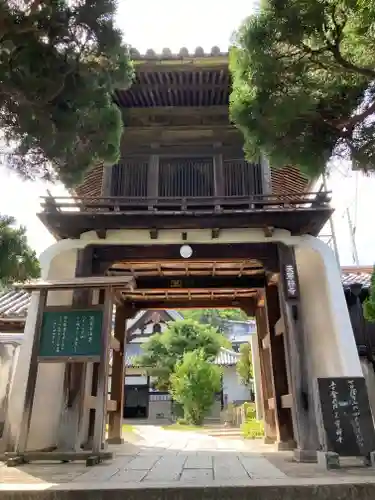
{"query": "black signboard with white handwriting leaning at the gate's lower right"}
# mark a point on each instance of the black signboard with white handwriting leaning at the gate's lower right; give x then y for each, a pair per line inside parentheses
(347, 417)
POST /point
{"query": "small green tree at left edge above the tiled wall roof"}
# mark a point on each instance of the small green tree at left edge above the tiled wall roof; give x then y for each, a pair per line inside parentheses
(18, 261)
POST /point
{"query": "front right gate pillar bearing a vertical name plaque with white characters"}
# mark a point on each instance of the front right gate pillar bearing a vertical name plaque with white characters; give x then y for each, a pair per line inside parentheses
(301, 389)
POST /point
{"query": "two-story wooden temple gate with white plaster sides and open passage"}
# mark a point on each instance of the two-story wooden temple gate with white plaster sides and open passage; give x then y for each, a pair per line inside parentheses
(195, 225)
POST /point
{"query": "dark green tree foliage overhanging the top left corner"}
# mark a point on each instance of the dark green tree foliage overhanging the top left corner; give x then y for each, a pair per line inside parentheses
(60, 61)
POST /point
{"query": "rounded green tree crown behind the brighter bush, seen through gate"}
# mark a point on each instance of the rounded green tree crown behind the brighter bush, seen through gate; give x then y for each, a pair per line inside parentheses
(162, 351)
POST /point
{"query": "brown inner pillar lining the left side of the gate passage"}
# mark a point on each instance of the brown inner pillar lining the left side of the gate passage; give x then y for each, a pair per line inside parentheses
(118, 378)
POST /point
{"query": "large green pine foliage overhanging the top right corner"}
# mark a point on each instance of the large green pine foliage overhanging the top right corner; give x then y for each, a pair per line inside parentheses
(303, 82)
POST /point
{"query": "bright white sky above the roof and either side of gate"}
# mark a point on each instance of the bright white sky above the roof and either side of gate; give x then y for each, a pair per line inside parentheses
(206, 23)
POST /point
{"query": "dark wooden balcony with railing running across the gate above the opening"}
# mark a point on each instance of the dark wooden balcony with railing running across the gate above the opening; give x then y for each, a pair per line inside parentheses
(303, 213)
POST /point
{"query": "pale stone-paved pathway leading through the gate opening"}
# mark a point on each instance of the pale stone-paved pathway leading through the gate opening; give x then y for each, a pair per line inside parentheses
(158, 457)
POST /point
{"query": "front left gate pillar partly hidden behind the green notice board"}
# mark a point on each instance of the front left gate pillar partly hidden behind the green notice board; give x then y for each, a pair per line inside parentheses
(75, 373)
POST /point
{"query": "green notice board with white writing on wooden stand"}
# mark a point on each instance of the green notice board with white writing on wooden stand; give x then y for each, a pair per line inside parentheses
(71, 334)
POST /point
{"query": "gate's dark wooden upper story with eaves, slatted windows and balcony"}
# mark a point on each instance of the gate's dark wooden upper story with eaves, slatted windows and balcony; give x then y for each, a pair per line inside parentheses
(182, 164)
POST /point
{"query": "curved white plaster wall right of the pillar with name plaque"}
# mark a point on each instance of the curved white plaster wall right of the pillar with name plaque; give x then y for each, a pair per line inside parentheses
(330, 342)
